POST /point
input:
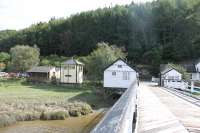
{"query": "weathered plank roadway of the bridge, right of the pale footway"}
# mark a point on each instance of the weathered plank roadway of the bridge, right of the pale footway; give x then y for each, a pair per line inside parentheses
(187, 113)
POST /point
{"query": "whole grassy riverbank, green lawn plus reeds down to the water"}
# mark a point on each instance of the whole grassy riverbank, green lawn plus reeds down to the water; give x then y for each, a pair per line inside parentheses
(20, 101)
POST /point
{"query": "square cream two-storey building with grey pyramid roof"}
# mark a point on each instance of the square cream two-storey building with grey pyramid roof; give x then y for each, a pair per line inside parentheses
(71, 71)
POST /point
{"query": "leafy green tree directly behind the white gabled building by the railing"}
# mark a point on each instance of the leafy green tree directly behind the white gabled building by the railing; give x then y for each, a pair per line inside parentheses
(100, 58)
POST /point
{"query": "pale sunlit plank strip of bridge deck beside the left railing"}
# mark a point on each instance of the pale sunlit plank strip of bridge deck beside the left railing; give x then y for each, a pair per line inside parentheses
(154, 116)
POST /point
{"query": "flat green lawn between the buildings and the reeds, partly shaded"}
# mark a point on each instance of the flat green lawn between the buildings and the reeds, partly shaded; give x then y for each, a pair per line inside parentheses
(20, 92)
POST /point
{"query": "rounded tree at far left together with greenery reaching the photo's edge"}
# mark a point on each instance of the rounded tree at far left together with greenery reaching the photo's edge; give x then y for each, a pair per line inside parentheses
(20, 59)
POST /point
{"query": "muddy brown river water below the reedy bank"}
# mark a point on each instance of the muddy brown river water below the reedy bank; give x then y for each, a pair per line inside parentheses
(82, 124)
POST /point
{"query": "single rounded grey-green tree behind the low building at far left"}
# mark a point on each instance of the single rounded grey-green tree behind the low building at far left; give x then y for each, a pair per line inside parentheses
(24, 57)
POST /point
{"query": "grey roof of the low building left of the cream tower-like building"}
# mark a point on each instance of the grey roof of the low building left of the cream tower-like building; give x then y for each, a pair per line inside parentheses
(41, 69)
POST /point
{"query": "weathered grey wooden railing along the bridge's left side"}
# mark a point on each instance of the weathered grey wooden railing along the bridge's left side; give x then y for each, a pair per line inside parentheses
(120, 117)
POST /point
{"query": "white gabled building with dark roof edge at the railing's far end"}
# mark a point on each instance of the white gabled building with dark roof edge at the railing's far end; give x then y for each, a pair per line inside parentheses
(119, 75)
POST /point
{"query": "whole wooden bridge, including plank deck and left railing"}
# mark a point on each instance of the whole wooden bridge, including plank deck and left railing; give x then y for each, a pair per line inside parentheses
(151, 109)
